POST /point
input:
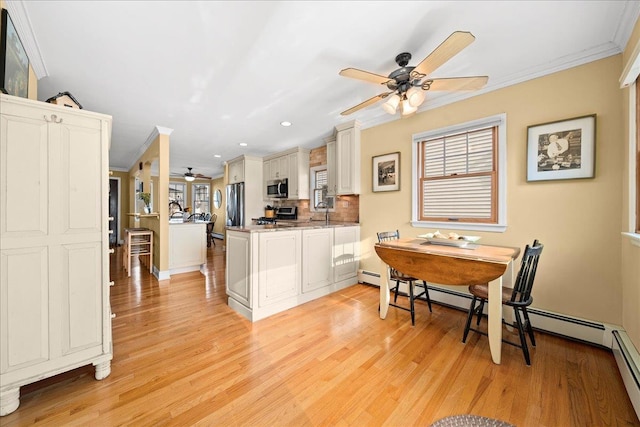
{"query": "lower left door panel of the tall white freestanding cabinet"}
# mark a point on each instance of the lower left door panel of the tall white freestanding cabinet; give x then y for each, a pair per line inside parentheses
(24, 308)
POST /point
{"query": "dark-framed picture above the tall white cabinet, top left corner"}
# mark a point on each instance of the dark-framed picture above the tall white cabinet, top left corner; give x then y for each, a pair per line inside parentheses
(14, 63)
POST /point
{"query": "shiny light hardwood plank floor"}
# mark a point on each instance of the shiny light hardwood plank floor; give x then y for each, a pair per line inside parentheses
(182, 357)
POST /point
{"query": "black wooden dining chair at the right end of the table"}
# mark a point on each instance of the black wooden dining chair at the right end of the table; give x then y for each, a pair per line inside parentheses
(519, 297)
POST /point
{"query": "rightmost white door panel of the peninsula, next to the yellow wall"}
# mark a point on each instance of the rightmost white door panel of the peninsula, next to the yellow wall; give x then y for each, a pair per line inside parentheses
(346, 252)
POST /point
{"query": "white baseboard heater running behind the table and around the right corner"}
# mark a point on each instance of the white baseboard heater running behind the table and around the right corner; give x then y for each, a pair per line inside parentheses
(599, 334)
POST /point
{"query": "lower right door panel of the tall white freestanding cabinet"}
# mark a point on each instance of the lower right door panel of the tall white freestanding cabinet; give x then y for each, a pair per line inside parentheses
(81, 299)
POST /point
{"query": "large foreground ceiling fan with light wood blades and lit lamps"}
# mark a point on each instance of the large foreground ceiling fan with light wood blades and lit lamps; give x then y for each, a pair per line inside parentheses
(407, 84)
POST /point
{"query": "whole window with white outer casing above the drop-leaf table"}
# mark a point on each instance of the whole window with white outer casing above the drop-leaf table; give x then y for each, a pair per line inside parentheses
(460, 176)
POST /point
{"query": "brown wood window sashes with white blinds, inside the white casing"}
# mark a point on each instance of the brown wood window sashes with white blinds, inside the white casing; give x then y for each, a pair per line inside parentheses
(458, 176)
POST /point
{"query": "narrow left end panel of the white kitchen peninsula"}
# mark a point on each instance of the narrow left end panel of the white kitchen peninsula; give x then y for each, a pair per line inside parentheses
(238, 277)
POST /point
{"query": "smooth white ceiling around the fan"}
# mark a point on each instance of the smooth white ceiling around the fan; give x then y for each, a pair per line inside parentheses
(224, 73)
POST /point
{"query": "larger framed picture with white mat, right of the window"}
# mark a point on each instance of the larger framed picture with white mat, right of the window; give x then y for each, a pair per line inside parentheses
(562, 150)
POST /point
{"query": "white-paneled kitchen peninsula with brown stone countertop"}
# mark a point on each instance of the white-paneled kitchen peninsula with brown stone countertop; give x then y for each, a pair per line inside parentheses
(271, 268)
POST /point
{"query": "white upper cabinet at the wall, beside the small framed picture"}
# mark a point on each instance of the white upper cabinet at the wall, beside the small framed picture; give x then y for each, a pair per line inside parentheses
(343, 160)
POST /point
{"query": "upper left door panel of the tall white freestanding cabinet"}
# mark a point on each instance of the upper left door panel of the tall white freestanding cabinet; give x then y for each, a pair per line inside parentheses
(23, 184)
